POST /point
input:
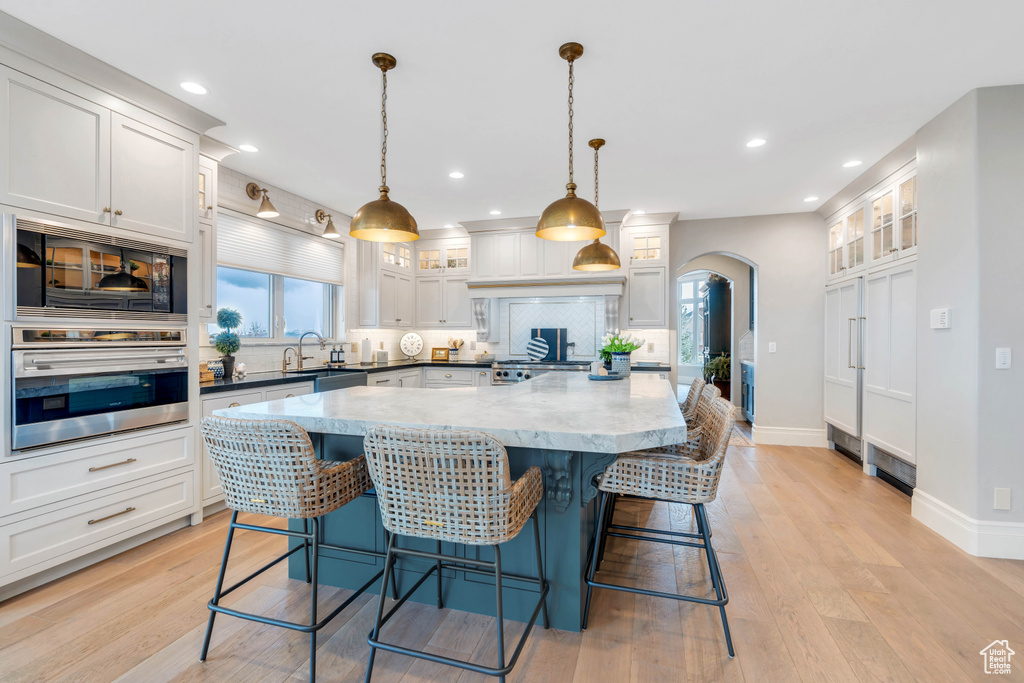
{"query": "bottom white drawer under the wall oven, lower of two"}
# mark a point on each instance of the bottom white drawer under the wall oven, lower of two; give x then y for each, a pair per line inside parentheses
(66, 533)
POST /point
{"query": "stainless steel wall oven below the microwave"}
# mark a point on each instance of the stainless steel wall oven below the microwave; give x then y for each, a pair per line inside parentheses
(75, 383)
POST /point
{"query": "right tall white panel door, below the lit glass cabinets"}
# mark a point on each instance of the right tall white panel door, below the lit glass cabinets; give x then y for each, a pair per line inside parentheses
(890, 362)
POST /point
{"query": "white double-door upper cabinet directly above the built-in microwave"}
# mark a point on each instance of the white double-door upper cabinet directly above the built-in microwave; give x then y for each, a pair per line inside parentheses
(70, 157)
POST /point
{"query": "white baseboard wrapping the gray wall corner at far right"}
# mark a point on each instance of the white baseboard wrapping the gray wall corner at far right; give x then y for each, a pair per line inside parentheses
(980, 538)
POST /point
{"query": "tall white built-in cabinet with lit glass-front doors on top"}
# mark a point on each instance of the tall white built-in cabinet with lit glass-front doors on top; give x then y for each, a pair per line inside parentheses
(871, 327)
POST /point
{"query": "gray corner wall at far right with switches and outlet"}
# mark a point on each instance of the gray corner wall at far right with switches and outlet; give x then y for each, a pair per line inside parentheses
(971, 172)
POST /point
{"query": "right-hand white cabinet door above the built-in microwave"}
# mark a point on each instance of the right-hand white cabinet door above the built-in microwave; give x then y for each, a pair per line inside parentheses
(152, 181)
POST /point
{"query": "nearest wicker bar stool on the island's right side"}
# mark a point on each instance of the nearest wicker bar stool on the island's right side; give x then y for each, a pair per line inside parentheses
(672, 476)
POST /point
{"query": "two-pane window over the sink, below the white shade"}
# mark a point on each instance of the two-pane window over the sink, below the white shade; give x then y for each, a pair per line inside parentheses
(276, 307)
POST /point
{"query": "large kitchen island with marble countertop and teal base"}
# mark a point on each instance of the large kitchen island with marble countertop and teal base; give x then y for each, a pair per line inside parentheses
(568, 425)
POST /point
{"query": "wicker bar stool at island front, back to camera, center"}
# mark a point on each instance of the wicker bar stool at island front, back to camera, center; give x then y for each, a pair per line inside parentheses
(453, 487)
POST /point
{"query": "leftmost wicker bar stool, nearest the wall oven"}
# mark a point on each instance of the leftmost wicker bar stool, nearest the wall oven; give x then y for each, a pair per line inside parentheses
(269, 467)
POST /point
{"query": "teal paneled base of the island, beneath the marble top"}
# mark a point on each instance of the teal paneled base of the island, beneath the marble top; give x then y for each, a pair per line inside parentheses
(568, 519)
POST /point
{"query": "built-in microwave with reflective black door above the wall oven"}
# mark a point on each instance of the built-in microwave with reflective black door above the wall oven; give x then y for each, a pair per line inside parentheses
(62, 272)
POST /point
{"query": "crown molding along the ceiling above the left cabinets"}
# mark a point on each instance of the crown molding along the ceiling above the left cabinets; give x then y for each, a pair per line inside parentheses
(48, 51)
